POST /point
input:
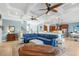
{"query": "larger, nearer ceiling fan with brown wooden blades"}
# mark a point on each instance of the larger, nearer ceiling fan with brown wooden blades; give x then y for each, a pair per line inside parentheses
(52, 8)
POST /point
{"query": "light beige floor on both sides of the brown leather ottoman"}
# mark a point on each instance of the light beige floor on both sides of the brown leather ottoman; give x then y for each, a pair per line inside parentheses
(11, 48)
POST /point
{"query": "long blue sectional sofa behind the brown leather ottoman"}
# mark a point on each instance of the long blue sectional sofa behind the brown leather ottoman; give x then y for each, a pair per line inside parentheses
(48, 39)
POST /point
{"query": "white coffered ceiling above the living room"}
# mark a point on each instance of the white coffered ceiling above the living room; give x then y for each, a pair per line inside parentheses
(25, 10)
